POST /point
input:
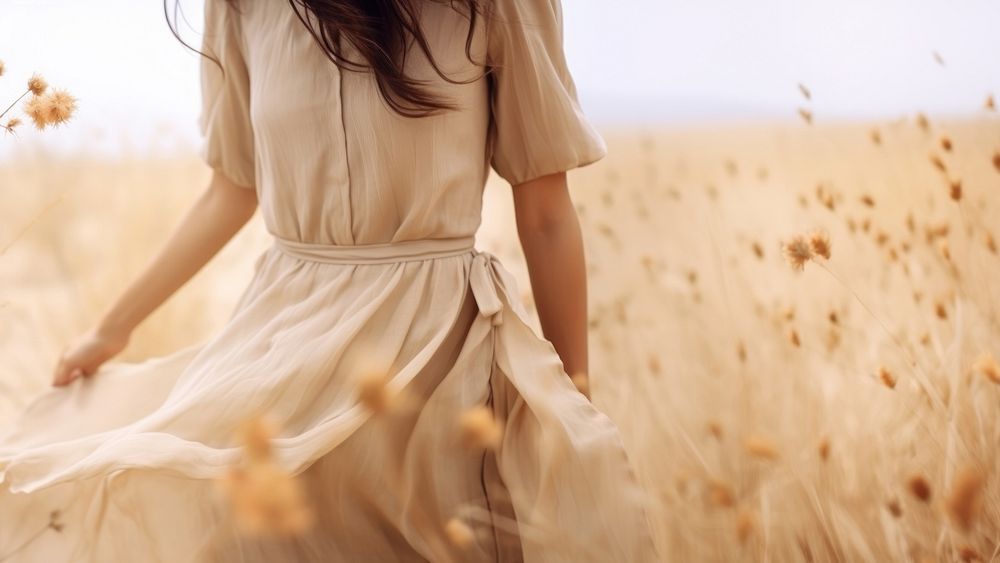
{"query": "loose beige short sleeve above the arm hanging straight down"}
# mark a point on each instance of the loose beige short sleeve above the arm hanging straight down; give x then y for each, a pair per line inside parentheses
(538, 126)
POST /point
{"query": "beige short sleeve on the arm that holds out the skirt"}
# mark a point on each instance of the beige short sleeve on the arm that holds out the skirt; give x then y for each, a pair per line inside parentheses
(228, 143)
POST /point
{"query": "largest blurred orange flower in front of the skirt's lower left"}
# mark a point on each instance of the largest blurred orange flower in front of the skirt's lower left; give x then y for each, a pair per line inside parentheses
(266, 500)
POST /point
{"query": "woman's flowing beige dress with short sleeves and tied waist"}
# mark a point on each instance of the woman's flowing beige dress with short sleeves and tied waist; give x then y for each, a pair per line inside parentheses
(373, 216)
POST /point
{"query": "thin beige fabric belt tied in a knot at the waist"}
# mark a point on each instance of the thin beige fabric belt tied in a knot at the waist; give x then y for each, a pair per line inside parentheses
(484, 279)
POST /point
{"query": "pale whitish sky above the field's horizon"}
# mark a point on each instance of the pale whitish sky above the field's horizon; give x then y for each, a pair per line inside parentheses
(637, 61)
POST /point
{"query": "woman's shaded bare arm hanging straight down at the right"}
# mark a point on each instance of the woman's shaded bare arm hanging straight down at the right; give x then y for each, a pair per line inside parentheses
(549, 231)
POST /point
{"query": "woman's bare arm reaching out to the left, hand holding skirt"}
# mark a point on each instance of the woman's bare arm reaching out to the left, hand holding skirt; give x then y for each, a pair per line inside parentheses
(208, 225)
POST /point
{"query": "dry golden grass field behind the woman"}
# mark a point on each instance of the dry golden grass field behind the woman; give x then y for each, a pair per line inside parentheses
(845, 412)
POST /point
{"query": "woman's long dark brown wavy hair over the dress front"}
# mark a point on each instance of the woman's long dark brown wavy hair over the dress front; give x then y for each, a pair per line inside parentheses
(382, 31)
